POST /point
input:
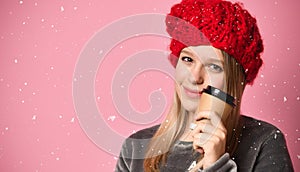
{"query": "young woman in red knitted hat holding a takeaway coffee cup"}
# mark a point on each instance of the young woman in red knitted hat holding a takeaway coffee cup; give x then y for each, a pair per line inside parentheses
(224, 52)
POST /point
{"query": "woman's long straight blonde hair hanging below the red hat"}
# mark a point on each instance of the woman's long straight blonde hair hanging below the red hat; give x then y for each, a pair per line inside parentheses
(172, 128)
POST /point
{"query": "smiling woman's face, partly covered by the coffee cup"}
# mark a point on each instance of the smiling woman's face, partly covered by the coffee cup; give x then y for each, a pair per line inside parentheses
(198, 67)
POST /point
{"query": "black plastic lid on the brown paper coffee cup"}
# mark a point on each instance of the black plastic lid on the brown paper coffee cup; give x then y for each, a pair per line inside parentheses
(219, 94)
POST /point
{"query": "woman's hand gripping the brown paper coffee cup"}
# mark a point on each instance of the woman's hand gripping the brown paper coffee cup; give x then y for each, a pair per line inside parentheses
(209, 137)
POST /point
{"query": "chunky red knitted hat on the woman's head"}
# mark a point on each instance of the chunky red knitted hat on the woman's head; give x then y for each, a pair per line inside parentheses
(223, 25)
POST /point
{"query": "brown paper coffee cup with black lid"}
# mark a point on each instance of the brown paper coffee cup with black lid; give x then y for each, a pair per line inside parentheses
(213, 99)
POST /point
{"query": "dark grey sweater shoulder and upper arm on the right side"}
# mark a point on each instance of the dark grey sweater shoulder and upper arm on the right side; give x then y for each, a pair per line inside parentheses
(264, 145)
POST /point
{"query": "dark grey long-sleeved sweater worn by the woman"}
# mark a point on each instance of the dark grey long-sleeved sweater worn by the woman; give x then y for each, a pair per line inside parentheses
(262, 147)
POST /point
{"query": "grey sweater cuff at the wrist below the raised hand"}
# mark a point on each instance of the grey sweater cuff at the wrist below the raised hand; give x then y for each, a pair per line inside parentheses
(224, 163)
